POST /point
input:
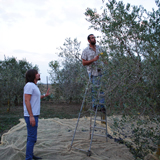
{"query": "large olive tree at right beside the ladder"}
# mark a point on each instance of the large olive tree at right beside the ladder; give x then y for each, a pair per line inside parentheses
(131, 39)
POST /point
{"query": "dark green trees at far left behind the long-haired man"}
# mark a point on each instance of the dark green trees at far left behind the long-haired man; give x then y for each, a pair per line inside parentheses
(12, 80)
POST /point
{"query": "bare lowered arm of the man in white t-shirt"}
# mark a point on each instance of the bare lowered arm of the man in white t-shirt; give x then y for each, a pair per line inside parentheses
(29, 109)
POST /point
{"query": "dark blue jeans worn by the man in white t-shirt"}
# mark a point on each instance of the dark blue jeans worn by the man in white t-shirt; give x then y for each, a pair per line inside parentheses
(31, 137)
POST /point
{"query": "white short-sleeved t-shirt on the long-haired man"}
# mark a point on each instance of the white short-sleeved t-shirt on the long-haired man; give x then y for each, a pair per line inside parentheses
(33, 90)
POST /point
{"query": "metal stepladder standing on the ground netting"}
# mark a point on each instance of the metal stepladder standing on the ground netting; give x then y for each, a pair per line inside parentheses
(92, 119)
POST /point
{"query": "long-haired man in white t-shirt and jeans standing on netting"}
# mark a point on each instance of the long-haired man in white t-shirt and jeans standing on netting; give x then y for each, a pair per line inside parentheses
(31, 105)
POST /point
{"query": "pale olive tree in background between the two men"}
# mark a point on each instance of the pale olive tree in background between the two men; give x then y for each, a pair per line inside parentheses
(68, 81)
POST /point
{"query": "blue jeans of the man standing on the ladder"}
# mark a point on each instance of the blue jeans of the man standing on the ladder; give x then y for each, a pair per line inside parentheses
(96, 82)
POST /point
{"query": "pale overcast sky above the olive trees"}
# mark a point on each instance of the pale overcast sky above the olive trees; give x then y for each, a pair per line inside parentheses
(34, 29)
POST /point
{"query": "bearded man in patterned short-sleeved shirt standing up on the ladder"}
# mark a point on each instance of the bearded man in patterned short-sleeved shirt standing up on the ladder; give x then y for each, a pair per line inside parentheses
(90, 56)
